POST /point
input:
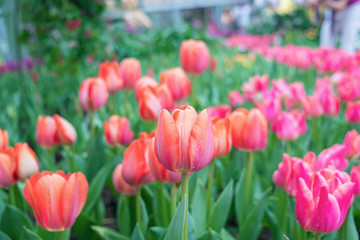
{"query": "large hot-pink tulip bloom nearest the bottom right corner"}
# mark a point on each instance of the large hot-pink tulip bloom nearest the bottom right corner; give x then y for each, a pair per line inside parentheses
(322, 205)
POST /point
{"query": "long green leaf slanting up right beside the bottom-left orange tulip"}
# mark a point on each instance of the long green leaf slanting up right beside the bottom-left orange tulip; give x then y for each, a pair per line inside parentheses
(97, 185)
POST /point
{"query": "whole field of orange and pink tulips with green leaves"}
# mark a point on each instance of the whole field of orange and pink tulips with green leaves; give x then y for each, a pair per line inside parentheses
(239, 138)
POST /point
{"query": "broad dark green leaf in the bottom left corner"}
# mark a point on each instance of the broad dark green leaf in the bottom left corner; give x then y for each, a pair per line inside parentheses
(12, 222)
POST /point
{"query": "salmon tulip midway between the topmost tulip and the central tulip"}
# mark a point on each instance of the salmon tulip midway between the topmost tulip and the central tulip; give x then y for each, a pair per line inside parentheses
(177, 82)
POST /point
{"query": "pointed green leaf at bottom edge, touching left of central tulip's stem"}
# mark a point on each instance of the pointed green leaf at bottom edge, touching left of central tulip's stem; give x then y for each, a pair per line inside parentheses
(176, 227)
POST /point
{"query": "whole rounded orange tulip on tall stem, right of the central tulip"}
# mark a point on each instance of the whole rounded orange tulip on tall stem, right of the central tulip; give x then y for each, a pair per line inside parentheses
(248, 129)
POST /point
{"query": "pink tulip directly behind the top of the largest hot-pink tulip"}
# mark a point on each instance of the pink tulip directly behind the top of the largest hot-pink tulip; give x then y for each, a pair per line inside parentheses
(335, 156)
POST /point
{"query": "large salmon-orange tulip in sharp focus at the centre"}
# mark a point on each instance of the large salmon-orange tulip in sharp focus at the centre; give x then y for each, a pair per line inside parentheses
(184, 140)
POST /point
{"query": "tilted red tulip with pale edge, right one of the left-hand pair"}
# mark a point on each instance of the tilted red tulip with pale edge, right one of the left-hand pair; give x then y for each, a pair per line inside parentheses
(65, 131)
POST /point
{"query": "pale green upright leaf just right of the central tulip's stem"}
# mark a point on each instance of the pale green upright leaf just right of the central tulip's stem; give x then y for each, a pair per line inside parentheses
(198, 209)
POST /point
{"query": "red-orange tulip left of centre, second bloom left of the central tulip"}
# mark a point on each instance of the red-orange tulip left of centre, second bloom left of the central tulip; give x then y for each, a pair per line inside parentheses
(136, 170)
